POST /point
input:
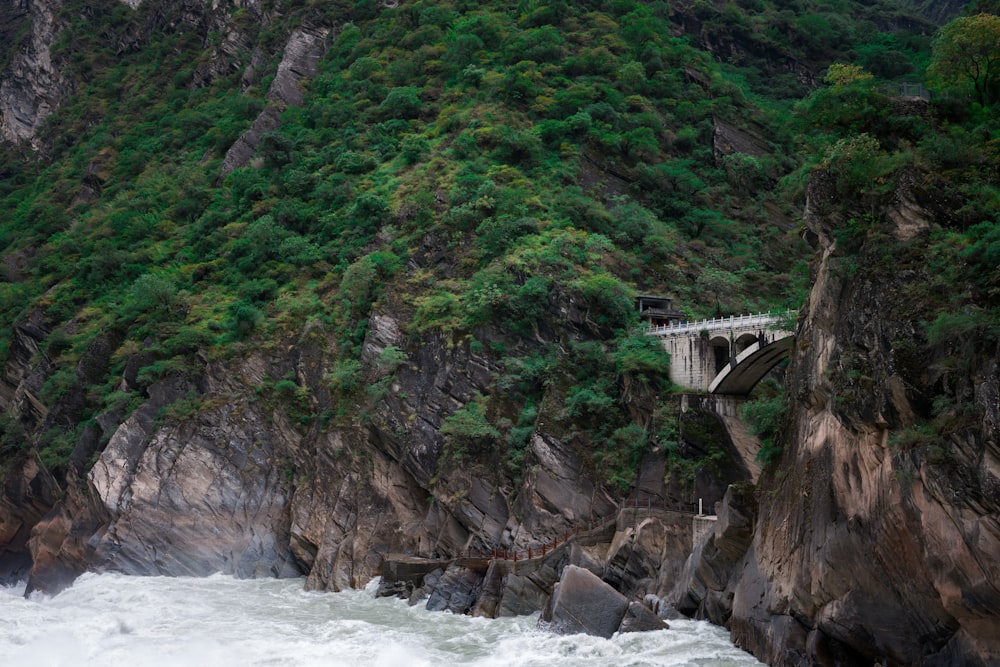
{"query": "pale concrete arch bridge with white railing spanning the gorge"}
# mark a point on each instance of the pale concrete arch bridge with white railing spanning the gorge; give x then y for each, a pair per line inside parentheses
(726, 355)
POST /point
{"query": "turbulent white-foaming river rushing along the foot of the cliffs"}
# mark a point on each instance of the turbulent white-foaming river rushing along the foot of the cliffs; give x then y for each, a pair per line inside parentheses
(219, 621)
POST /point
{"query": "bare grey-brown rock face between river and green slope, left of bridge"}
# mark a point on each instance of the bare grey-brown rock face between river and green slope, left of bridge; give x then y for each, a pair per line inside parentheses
(226, 468)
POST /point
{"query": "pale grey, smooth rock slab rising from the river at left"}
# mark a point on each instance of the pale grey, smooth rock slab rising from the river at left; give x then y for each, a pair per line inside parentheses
(170, 487)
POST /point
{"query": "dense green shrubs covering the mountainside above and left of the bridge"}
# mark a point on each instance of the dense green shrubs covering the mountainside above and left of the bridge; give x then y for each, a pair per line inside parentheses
(473, 164)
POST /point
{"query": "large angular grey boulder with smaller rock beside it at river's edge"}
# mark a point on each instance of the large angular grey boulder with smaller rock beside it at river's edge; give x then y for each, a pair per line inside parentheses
(582, 603)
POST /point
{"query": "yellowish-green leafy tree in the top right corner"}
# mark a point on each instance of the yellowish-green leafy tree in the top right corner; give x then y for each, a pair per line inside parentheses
(967, 52)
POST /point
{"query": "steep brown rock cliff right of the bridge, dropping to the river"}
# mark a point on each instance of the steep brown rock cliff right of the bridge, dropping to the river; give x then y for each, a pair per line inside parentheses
(865, 549)
